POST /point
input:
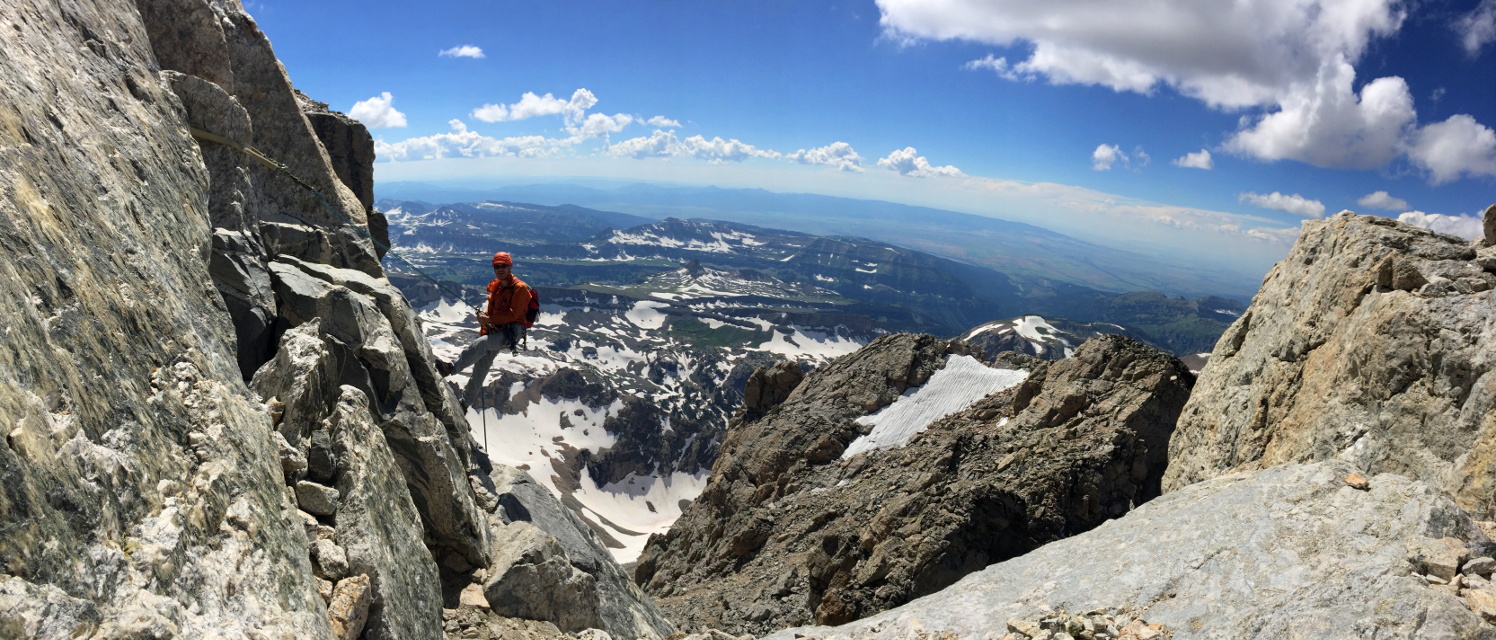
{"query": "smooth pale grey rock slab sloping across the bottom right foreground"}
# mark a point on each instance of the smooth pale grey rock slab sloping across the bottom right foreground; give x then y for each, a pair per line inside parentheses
(1286, 553)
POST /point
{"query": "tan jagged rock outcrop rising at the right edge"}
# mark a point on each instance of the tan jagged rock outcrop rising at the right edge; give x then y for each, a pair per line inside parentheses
(1373, 342)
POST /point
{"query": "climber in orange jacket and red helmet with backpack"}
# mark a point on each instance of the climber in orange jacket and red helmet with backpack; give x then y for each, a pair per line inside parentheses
(502, 325)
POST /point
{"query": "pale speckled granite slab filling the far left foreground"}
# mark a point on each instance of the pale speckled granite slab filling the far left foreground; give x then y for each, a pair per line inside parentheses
(143, 490)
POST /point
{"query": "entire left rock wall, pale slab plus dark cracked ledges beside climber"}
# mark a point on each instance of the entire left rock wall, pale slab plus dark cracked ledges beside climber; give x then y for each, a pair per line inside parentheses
(228, 421)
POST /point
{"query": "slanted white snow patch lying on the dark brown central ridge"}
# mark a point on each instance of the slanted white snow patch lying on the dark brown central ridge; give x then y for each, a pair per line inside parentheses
(963, 382)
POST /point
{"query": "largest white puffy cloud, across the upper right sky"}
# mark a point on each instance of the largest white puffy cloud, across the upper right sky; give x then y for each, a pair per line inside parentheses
(1287, 64)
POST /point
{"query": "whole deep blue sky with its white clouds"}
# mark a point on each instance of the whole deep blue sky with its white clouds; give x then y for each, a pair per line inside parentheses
(1090, 117)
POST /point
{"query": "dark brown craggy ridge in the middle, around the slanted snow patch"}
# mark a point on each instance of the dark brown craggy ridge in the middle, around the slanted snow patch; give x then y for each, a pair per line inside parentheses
(791, 532)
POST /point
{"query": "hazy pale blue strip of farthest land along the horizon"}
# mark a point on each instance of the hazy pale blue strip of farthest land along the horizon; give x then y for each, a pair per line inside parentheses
(1015, 249)
